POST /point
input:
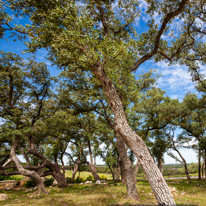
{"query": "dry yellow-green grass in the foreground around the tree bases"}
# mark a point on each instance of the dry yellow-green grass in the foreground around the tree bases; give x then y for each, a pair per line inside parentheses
(92, 195)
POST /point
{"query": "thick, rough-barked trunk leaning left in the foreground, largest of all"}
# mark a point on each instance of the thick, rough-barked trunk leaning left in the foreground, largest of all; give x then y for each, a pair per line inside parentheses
(157, 182)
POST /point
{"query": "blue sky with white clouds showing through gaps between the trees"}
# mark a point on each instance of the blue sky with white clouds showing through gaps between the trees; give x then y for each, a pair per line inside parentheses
(175, 79)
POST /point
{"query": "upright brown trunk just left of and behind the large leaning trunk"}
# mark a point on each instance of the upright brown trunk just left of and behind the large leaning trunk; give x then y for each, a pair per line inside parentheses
(128, 170)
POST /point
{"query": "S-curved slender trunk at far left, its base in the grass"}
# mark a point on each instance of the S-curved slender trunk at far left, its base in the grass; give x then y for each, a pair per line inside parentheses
(22, 171)
